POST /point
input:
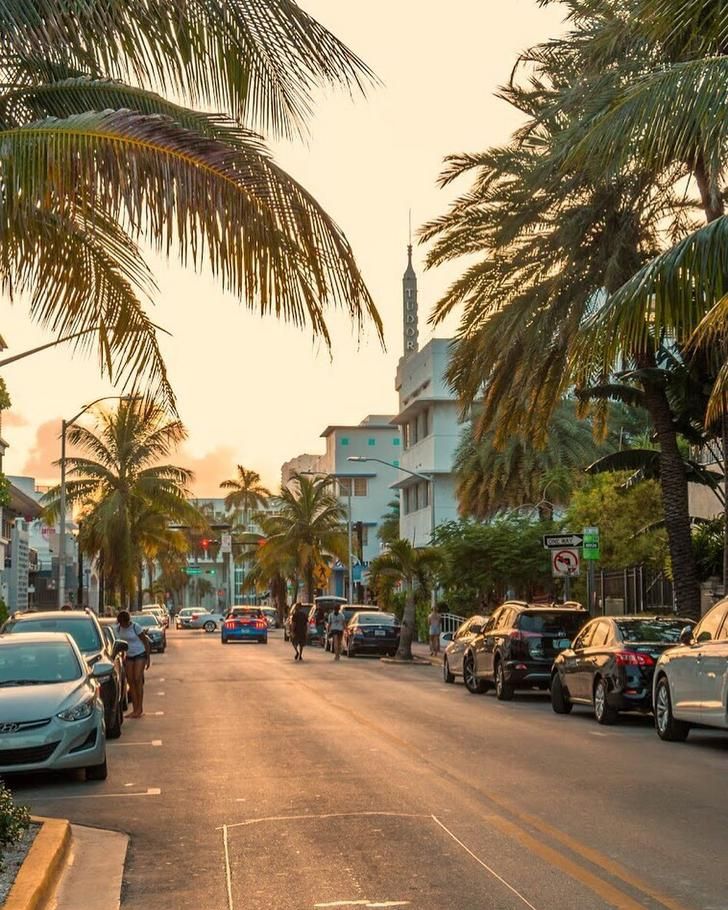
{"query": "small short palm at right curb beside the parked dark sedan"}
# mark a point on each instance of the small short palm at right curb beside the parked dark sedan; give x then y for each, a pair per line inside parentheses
(413, 567)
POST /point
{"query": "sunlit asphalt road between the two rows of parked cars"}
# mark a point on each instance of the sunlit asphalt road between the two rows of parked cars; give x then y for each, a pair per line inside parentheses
(257, 783)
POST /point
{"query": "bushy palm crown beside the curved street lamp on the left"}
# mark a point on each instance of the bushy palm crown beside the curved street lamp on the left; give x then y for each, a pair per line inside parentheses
(124, 491)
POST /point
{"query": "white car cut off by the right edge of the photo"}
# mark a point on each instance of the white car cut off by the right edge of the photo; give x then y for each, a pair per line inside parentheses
(691, 680)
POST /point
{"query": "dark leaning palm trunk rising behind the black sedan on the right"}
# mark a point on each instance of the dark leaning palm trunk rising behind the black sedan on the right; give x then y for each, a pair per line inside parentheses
(674, 483)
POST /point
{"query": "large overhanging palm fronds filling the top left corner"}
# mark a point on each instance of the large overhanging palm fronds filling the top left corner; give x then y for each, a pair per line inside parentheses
(94, 163)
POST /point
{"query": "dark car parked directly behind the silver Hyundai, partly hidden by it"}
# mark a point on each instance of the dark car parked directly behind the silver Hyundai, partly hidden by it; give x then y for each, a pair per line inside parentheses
(84, 628)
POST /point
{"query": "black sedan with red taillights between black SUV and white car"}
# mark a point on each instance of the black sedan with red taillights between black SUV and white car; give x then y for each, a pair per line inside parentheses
(611, 664)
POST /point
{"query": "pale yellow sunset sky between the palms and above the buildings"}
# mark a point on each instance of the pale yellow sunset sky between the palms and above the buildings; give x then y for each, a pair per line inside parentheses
(257, 392)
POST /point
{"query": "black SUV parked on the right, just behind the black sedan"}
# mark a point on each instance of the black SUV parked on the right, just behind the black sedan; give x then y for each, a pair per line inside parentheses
(517, 647)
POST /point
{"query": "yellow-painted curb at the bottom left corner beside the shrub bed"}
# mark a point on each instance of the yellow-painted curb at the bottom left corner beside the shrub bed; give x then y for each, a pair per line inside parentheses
(42, 867)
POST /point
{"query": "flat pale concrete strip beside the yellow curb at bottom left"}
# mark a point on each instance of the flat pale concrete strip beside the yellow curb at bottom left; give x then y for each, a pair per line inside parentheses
(94, 871)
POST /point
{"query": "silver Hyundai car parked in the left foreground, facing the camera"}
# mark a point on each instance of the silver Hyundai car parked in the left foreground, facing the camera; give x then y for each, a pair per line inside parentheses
(51, 713)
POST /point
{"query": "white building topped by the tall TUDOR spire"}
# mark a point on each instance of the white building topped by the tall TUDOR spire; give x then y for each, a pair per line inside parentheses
(429, 425)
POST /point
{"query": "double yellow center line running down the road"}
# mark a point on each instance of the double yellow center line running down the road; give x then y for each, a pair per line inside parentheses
(511, 809)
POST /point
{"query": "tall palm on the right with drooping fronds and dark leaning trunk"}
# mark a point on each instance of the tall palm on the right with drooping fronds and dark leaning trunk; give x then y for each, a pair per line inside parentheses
(555, 241)
